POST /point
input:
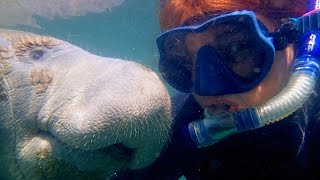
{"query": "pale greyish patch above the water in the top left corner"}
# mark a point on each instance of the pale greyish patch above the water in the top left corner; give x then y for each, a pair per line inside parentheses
(23, 11)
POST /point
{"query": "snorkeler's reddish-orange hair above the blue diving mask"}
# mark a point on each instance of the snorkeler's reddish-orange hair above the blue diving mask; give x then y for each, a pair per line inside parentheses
(174, 13)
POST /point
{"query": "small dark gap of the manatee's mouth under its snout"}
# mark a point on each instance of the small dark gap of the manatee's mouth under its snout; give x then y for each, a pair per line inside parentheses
(119, 152)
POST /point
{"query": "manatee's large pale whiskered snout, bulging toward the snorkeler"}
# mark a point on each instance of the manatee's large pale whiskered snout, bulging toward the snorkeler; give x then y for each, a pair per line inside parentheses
(122, 105)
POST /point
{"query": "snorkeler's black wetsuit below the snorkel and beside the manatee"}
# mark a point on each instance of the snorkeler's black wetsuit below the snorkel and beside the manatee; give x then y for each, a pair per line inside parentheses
(289, 149)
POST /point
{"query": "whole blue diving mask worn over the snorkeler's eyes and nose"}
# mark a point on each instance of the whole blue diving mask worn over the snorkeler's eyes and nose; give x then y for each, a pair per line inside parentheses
(236, 56)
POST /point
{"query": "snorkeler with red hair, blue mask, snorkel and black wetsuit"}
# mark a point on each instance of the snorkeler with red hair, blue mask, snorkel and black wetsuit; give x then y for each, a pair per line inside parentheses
(247, 74)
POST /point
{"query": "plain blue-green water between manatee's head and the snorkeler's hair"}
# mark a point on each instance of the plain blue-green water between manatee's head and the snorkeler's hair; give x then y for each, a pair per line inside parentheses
(127, 31)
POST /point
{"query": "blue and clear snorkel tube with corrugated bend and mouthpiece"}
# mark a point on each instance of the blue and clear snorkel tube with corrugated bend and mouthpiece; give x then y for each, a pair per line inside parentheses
(304, 75)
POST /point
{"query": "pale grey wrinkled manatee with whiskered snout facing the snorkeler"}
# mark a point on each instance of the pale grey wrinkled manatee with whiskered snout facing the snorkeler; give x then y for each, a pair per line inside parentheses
(69, 114)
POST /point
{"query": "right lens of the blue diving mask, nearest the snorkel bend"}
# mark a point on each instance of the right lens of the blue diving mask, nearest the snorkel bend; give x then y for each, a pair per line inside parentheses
(240, 52)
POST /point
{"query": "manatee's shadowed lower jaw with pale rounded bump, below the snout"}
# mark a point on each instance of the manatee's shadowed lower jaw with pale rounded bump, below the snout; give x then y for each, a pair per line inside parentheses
(47, 157)
